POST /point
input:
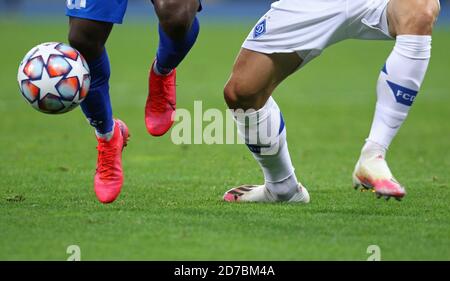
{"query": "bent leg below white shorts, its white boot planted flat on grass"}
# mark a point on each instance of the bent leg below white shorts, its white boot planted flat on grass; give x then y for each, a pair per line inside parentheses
(248, 93)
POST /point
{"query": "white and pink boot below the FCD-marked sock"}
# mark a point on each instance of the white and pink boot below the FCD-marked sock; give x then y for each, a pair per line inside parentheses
(374, 174)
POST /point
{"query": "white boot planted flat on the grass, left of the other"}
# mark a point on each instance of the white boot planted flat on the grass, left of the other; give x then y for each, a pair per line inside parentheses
(259, 193)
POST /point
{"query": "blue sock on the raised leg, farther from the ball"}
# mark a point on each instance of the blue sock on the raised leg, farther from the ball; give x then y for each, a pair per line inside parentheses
(170, 52)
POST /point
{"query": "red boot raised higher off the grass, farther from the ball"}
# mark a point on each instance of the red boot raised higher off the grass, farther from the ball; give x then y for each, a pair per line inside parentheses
(161, 102)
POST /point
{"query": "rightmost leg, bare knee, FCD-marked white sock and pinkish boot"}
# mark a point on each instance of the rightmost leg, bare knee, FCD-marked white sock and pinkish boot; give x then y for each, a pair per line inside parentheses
(411, 23)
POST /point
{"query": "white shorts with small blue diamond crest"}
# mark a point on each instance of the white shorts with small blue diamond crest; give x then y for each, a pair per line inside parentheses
(307, 27)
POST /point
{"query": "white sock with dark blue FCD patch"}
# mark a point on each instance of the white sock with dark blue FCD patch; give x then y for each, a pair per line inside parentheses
(397, 87)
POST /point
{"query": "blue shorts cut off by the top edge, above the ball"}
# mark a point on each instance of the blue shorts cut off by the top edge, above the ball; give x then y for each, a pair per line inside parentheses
(100, 10)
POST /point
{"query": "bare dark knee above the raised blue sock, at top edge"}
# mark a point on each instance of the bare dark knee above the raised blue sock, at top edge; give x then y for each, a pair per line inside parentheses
(176, 16)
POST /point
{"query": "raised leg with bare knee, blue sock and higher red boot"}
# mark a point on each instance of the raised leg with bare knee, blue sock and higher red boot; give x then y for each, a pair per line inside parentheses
(178, 31)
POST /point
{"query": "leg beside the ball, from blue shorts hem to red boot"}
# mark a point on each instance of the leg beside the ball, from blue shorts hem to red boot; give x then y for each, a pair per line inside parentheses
(89, 37)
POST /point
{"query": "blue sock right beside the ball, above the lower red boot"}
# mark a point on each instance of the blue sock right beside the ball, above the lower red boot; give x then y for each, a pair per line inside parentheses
(97, 105)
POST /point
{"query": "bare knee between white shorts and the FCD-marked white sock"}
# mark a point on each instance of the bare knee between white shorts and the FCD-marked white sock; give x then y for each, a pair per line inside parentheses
(420, 18)
